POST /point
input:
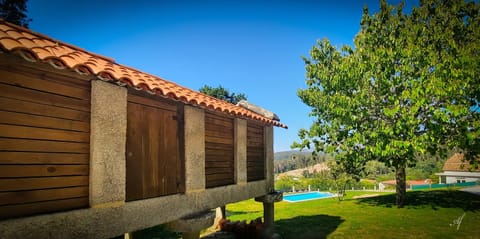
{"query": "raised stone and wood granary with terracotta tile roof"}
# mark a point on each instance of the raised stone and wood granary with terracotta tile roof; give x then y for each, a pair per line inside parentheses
(90, 148)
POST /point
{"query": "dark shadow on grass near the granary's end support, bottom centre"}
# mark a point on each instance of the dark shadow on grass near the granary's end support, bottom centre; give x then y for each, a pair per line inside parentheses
(318, 226)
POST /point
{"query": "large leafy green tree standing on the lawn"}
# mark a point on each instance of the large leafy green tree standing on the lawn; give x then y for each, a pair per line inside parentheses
(410, 85)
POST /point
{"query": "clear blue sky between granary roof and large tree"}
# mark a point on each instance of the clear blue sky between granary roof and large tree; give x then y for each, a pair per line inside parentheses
(251, 47)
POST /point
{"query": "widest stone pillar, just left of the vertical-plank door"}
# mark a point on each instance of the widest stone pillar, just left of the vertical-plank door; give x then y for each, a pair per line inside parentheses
(108, 129)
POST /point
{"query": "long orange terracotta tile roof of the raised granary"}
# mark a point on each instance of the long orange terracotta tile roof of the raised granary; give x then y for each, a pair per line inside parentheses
(37, 47)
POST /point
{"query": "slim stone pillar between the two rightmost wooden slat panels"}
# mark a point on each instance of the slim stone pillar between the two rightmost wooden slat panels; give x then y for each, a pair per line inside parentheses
(240, 151)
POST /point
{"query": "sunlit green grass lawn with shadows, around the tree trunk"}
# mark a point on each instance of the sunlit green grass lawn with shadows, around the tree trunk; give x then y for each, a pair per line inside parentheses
(429, 214)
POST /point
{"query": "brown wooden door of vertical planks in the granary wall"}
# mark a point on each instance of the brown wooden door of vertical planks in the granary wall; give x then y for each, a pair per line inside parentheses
(154, 153)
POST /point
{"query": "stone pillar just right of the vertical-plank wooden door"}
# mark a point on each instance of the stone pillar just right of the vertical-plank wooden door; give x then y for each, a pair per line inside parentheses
(194, 149)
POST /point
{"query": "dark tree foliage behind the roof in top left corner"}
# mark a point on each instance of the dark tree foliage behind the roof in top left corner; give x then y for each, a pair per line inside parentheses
(15, 11)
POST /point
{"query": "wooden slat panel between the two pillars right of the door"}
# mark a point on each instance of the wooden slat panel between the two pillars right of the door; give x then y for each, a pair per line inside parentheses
(219, 154)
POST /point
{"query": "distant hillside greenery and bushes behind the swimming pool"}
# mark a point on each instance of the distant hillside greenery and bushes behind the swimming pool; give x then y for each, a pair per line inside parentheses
(302, 170)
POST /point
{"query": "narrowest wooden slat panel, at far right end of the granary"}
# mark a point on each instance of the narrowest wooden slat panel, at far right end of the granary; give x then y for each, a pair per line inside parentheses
(255, 151)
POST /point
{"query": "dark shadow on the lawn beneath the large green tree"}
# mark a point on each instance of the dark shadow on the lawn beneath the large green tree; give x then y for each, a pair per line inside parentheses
(429, 198)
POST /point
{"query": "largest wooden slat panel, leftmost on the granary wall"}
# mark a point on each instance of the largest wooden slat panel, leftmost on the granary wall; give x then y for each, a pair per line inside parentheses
(44, 142)
